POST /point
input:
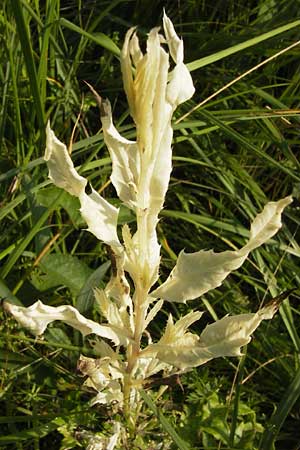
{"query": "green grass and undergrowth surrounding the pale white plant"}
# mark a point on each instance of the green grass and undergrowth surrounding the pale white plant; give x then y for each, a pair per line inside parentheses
(232, 154)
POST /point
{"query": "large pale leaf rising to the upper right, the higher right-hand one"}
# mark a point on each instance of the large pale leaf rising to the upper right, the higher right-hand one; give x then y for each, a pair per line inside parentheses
(196, 273)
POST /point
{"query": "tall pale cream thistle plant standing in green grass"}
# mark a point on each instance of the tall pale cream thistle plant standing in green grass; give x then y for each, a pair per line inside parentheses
(140, 174)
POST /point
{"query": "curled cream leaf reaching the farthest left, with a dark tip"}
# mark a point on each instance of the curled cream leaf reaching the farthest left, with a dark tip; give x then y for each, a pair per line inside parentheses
(38, 316)
